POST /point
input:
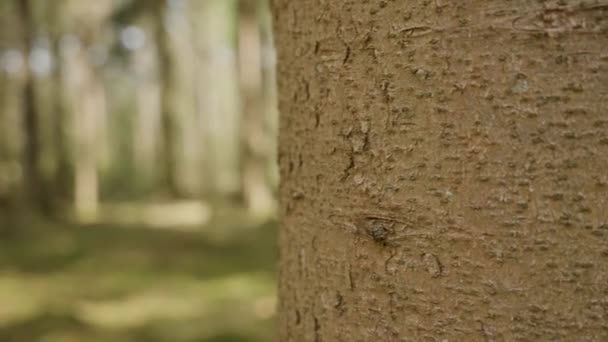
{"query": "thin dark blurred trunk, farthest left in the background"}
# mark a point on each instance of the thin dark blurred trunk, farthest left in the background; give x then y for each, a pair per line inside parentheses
(33, 181)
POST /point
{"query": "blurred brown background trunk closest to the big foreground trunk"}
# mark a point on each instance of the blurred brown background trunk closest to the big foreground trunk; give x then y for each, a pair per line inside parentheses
(256, 143)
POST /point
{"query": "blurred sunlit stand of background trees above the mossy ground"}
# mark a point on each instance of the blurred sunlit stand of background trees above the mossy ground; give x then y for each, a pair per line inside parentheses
(137, 100)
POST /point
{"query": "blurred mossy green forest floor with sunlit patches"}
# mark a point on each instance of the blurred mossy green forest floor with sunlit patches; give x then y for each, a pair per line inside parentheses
(61, 282)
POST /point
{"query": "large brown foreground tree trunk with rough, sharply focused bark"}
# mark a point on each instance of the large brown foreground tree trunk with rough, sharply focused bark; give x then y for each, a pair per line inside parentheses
(443, 169)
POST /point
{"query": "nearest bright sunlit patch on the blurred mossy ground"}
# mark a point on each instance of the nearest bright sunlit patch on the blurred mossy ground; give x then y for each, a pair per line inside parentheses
(181, 300)
